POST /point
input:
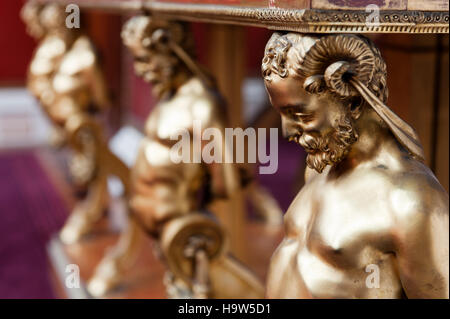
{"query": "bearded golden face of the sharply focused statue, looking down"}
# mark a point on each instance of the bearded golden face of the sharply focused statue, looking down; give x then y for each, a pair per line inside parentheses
(321, 123)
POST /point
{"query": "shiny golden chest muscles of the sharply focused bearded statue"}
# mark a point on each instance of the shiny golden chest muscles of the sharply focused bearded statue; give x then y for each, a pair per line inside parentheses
(341, 220)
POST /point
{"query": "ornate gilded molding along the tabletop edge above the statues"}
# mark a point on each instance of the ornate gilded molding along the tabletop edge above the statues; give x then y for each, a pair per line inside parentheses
(299, 20)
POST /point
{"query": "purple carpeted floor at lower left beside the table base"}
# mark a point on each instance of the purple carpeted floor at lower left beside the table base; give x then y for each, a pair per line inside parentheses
(30, 211)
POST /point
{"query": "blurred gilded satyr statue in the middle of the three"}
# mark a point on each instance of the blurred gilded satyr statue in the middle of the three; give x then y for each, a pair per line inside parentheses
(167, 197)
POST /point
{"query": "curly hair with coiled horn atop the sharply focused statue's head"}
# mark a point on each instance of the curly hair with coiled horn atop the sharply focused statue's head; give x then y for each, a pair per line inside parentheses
(317, 59)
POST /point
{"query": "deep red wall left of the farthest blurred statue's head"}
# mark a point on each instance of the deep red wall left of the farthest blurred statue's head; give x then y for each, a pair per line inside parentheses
(16, 47)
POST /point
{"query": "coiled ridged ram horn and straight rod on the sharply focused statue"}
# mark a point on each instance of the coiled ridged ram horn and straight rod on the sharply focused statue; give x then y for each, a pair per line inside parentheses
(351, 73)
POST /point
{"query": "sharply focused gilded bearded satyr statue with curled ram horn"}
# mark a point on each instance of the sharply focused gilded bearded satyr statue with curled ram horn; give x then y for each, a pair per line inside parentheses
(369, 206)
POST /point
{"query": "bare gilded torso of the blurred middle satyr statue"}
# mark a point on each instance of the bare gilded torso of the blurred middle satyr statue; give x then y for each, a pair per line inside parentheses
(162, 188)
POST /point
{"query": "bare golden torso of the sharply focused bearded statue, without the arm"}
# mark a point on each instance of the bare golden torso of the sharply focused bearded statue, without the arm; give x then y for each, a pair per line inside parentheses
(337, 229)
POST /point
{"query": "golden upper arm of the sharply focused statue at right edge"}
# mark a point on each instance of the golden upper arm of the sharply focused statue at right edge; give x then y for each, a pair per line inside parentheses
(422, 242)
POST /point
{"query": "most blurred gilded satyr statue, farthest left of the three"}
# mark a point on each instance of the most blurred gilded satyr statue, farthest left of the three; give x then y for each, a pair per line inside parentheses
(65, 77)
